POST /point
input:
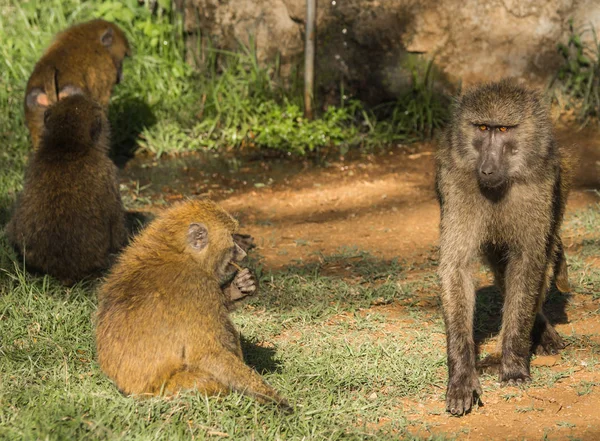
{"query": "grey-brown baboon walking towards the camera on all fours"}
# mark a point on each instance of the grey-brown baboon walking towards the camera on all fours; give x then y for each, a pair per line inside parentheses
(502, 184)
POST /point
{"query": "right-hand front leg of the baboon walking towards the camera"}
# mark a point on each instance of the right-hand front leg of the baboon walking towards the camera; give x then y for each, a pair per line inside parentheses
(526, 285)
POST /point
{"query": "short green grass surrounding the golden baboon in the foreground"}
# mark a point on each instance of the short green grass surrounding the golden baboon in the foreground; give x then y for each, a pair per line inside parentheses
(307, 333)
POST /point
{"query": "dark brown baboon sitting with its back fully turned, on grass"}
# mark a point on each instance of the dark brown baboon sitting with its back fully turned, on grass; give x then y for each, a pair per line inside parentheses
(69, 217)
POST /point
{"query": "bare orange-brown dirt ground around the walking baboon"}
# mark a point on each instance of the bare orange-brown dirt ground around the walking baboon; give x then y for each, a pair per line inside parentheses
(385, 204)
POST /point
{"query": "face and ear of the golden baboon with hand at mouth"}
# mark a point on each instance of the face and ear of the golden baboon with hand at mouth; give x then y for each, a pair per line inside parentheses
(216, 248)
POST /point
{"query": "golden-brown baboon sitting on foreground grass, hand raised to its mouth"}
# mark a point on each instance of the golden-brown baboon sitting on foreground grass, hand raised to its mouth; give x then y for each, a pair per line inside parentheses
(163, 322)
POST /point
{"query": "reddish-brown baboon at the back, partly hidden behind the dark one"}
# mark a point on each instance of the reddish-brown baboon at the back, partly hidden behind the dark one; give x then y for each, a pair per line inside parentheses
(87, 58)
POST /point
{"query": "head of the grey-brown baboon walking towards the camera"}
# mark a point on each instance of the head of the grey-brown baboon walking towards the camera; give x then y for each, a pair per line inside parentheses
(501, 133)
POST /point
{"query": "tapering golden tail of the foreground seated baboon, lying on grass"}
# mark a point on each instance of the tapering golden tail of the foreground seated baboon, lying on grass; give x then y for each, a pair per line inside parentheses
(230, 369)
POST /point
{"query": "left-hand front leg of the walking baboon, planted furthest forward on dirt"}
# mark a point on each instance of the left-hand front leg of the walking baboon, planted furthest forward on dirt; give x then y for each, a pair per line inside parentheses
(458, 300)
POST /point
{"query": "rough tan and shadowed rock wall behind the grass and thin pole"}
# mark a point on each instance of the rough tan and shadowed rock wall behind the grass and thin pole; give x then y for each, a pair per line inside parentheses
(366, 44)
